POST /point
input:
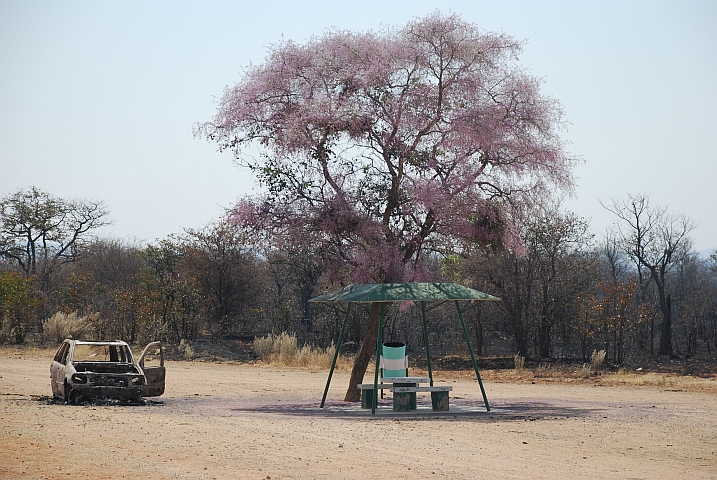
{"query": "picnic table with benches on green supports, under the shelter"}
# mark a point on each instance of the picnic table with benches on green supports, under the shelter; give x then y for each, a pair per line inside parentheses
(404, 393)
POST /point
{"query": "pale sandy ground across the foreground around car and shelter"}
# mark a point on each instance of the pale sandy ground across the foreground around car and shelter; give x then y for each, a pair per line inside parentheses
(229, 421)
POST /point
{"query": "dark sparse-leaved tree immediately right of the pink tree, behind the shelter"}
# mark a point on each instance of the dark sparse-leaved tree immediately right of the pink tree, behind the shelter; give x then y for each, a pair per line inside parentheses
(538, 288)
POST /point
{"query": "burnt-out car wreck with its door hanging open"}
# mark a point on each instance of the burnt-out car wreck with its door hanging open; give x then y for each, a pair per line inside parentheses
(88, 370)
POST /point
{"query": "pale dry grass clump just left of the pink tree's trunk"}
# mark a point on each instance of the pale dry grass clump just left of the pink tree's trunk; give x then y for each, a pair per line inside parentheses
(283, 349)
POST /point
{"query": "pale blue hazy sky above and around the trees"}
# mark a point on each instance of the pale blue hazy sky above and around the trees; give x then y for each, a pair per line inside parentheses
(98, 99)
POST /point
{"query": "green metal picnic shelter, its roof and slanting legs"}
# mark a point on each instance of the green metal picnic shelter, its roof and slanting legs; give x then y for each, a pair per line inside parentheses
(386, 294)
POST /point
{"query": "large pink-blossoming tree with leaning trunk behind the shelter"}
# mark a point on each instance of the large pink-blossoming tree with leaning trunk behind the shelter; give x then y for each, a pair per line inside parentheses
(386, 146)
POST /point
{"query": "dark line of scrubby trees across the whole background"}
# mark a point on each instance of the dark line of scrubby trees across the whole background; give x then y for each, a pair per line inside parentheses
(636, 291)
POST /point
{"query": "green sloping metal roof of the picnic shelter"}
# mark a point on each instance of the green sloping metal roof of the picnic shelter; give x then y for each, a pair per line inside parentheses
(396, 292)
